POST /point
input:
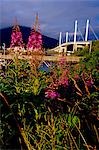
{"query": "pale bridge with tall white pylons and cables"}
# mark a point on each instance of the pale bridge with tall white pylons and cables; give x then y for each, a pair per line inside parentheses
(72, 46)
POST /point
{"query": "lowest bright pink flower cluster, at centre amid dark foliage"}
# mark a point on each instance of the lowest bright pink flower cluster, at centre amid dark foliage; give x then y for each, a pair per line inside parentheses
(51, 94)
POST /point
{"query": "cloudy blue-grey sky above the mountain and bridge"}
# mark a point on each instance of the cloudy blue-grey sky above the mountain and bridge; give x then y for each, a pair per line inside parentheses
(54, 15)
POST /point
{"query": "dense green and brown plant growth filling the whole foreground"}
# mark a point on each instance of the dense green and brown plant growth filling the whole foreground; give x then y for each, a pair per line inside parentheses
(30, 120)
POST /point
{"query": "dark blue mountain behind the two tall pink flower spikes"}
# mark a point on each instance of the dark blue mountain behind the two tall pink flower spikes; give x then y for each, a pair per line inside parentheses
(5, 35)
